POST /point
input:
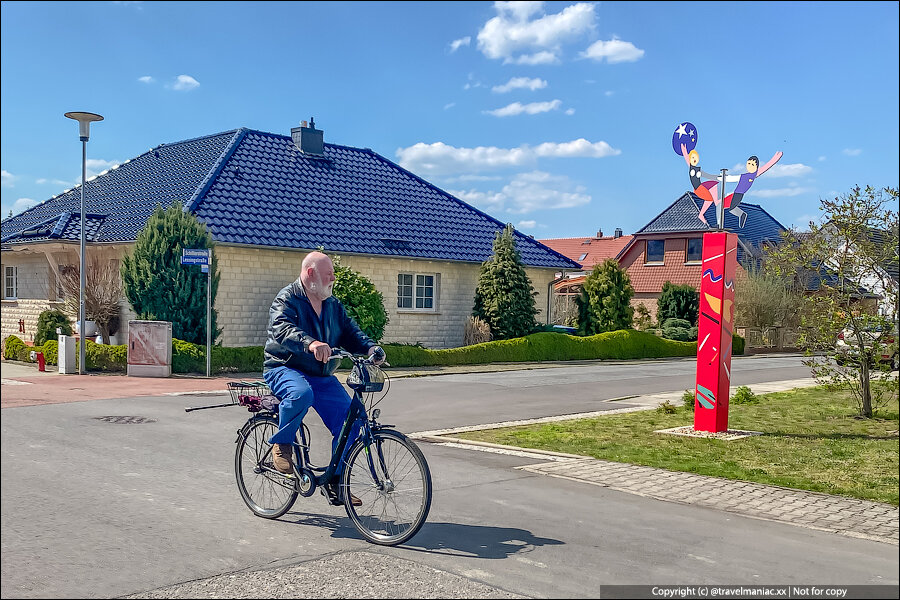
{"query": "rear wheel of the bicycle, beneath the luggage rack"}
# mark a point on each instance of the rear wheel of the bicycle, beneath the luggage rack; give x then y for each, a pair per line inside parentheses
(266, 492)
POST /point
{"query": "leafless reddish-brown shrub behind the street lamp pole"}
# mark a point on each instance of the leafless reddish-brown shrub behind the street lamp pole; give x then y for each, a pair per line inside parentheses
(102, 291)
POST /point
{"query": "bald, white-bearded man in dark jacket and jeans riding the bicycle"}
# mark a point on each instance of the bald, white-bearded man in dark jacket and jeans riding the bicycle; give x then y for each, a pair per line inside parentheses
(305, 323)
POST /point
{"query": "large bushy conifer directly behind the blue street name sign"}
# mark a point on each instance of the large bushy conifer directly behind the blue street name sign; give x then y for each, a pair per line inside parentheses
(159, 287)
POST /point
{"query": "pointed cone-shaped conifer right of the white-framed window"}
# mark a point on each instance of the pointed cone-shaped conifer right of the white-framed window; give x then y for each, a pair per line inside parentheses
(504, 296)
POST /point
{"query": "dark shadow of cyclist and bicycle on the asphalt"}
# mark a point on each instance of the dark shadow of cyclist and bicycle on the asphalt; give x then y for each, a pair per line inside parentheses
(476, 541)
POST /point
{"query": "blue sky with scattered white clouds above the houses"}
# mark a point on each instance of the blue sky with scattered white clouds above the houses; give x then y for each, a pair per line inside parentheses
(554, 116)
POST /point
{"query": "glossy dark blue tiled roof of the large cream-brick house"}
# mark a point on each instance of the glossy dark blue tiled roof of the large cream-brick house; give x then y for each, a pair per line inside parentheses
(257, 188)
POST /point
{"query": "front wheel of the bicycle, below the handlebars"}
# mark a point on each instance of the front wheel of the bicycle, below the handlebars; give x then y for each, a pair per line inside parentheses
(391, 478)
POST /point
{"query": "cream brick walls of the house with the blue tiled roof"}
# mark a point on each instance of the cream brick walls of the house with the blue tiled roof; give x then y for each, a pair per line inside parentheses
(251, 277)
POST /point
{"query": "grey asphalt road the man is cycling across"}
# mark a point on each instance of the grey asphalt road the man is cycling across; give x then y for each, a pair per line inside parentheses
(97, 509)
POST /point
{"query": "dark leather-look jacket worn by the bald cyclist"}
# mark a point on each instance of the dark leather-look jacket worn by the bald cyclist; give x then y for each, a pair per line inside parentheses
(294, 325)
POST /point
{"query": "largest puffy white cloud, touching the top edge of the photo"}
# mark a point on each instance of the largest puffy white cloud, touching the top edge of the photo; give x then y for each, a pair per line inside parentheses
(521, 31)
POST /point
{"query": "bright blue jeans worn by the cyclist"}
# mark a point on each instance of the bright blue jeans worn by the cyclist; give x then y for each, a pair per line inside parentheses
(297, 393)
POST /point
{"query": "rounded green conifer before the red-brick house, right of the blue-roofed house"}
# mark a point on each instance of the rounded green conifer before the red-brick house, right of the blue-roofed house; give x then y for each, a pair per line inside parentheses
(605, 300)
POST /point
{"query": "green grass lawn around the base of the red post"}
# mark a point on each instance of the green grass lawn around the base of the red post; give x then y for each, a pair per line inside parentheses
(811, 441)
